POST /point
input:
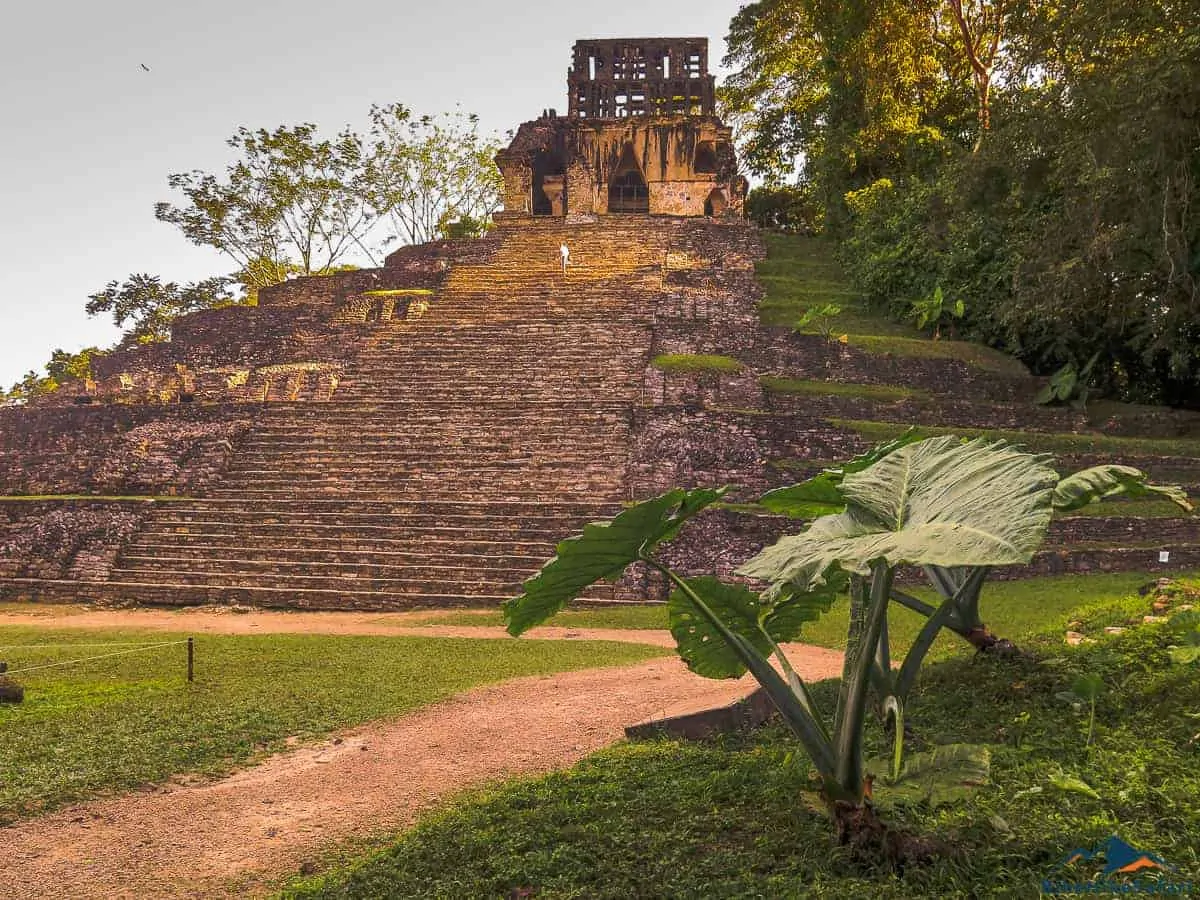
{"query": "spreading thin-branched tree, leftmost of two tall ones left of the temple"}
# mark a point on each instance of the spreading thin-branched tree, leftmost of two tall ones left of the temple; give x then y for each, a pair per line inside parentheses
(291, 203)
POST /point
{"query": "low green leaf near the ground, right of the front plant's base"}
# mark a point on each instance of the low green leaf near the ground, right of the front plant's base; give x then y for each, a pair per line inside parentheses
(946, 775)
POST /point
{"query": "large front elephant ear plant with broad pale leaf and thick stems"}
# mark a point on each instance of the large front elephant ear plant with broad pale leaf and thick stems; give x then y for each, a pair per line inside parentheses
(939, 502)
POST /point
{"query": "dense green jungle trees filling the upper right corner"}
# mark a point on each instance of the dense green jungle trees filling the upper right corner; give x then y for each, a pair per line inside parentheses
(1017, 172)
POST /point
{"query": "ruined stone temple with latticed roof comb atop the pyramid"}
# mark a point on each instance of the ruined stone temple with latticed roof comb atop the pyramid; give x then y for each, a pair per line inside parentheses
(641, 136)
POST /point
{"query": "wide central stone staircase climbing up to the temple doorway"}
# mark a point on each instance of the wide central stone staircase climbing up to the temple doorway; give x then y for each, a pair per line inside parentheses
(460, 448)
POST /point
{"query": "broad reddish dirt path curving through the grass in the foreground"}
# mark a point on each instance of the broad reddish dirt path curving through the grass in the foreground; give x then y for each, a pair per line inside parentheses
(233, 837)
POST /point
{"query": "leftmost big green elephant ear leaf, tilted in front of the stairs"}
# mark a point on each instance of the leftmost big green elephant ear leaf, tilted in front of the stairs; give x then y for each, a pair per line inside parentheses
(603, 551)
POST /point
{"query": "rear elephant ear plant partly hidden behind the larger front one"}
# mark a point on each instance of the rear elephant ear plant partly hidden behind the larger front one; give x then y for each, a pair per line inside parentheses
(823, 495)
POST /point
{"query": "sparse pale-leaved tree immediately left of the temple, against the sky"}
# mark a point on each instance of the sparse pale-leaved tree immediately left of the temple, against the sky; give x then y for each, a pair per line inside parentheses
(433, 172)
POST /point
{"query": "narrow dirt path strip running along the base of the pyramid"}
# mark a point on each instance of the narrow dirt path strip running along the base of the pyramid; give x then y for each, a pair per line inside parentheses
(220, 621)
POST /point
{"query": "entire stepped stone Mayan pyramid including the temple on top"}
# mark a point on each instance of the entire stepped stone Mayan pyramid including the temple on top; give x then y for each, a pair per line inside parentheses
(424, 434)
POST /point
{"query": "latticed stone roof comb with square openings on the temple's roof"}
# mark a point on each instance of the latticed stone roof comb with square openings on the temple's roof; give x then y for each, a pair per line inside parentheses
(614, 79)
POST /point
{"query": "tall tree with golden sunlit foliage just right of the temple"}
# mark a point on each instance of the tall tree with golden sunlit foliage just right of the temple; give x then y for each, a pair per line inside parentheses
(848, 92)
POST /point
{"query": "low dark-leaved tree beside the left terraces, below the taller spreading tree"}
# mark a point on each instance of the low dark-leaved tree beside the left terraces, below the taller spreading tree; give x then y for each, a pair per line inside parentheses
(146, 307)
